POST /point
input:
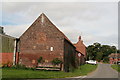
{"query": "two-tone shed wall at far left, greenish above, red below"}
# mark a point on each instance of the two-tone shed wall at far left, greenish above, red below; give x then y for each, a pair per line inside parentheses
(7, 49)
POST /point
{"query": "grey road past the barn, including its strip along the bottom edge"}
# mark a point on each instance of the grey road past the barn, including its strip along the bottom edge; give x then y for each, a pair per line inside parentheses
(103, 72)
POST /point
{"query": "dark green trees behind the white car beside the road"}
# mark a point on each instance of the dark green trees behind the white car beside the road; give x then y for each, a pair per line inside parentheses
(100, 52)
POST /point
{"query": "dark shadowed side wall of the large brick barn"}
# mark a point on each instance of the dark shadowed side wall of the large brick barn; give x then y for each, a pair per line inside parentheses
(69, 57)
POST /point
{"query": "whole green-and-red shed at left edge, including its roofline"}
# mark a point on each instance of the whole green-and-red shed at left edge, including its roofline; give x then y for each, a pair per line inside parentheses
(7, 49)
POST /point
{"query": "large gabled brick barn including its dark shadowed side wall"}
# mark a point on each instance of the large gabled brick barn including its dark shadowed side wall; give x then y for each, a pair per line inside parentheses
(44, 39)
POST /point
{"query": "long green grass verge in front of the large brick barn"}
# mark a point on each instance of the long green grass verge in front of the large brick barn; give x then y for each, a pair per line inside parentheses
(19, 73)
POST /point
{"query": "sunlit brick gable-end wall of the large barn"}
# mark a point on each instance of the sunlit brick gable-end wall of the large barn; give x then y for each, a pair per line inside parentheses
(37, 42)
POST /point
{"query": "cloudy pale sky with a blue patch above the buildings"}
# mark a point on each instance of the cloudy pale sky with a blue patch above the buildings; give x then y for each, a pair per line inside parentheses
(93, 21)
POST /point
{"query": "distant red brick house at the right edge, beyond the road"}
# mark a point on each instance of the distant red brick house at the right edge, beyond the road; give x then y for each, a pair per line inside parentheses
(113, 58)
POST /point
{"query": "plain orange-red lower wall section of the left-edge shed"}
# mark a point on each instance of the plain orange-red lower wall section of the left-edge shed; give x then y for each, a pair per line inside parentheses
(6, 58)
